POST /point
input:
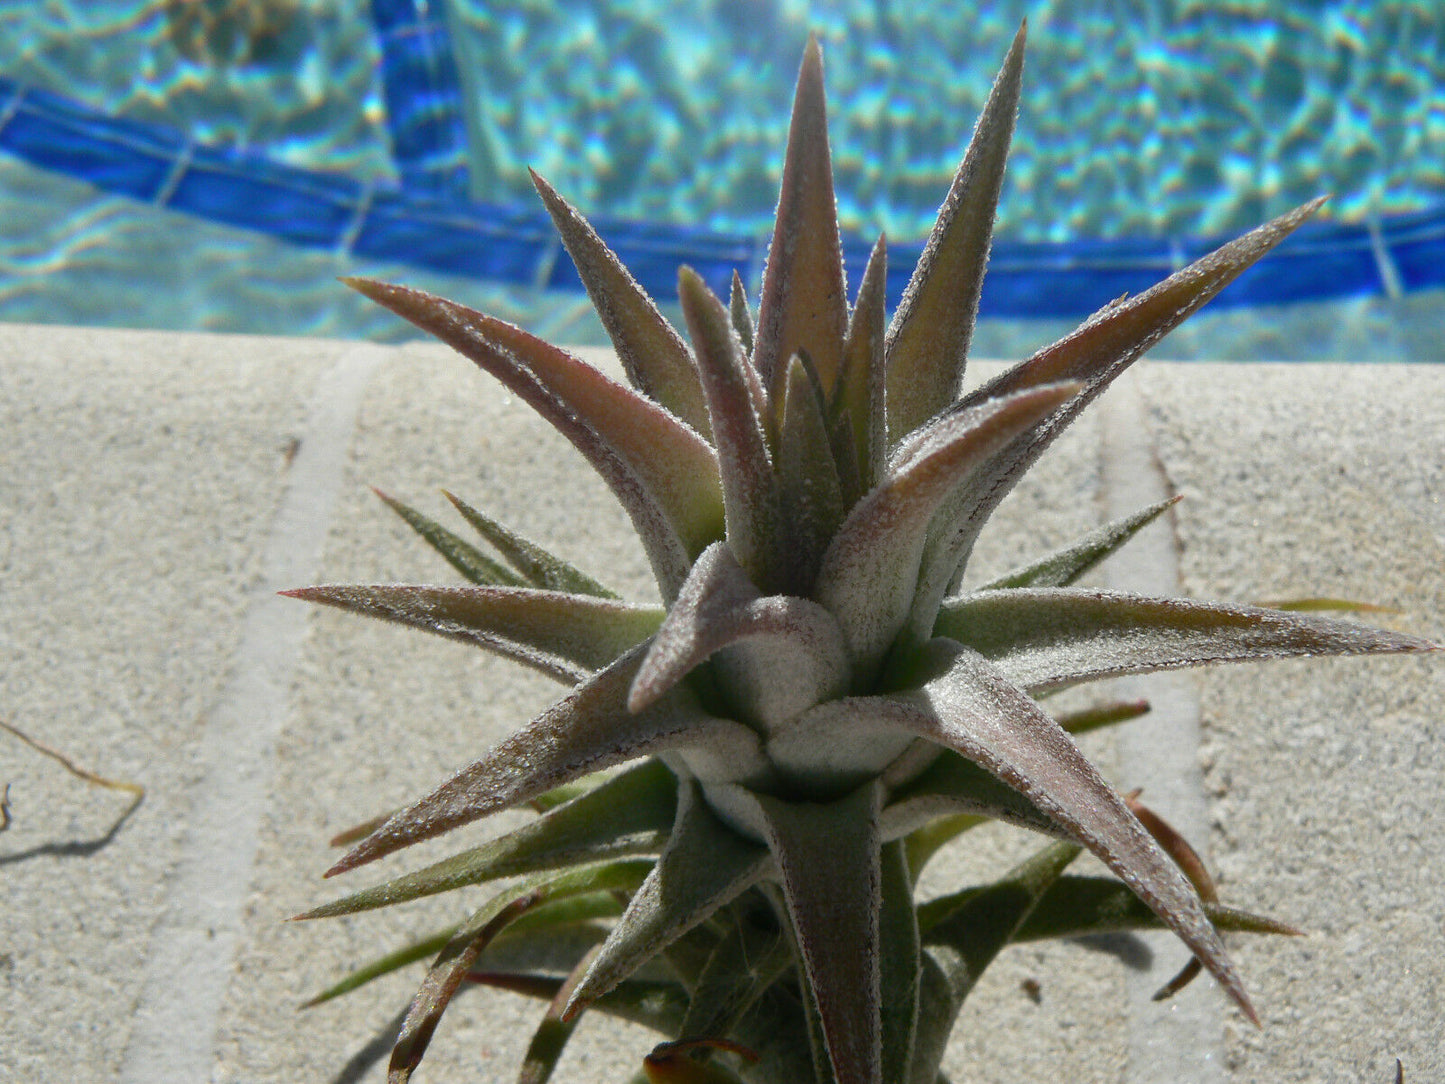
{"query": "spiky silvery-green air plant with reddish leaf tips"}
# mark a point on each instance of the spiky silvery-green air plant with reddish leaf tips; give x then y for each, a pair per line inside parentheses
(741, 787)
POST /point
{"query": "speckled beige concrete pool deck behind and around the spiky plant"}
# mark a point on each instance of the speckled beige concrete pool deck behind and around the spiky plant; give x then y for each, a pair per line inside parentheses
(158, 489)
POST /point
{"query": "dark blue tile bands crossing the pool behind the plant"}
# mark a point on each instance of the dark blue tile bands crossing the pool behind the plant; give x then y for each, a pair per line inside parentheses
(414, 225)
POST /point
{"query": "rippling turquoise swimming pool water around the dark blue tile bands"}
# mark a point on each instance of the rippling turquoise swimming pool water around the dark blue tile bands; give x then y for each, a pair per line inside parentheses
(1157, 119)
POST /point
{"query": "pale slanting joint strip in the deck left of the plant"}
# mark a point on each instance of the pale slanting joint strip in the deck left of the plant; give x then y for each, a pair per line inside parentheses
(193, 947)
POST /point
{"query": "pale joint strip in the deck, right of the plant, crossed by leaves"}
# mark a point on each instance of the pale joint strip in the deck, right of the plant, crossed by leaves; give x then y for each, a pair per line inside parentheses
(1181, 1040)
